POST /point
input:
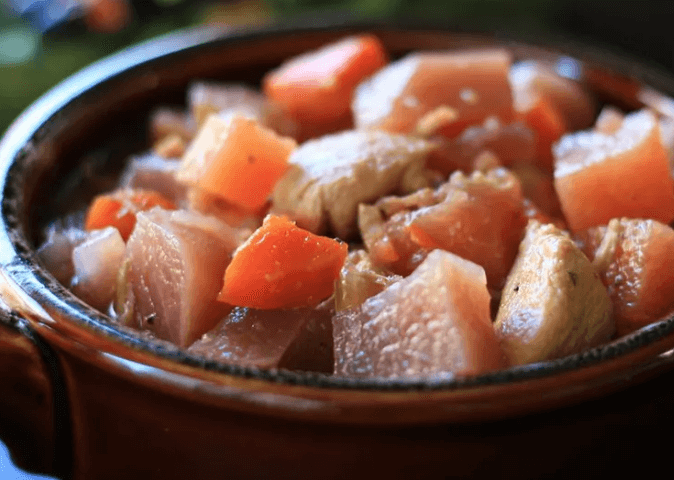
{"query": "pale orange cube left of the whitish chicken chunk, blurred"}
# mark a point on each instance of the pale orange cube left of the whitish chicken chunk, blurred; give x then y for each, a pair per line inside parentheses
(238, 160)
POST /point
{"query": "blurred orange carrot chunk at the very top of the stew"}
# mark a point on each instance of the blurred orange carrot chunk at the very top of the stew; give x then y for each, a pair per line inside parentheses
(318, 86)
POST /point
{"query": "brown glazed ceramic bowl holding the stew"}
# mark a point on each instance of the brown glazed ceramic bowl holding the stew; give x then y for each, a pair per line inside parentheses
(84, 398)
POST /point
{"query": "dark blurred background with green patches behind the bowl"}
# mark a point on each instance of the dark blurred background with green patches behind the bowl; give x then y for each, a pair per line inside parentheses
(35, 55)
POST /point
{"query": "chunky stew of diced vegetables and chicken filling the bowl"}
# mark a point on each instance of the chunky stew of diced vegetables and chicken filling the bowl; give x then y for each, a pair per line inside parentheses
(445, 212)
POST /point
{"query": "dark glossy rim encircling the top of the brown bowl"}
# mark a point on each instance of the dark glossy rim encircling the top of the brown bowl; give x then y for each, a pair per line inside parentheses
(33, 125)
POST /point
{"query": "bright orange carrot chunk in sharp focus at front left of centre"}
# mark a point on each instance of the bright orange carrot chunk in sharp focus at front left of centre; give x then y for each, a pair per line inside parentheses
(283, 266)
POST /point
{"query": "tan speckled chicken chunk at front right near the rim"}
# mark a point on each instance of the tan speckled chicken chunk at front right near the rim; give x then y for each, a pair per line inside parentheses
(553, 303)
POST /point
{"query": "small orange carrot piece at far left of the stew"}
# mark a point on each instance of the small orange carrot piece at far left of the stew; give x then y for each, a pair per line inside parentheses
(118, 209)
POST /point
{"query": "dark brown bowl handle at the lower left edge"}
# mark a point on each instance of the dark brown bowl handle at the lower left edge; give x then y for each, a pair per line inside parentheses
(33, 410)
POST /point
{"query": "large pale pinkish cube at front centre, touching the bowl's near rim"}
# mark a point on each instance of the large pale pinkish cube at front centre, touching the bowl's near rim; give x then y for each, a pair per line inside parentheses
(435, 321)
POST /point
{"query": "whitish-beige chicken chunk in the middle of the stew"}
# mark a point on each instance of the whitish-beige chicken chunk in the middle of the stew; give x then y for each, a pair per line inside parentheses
(330, 176)
